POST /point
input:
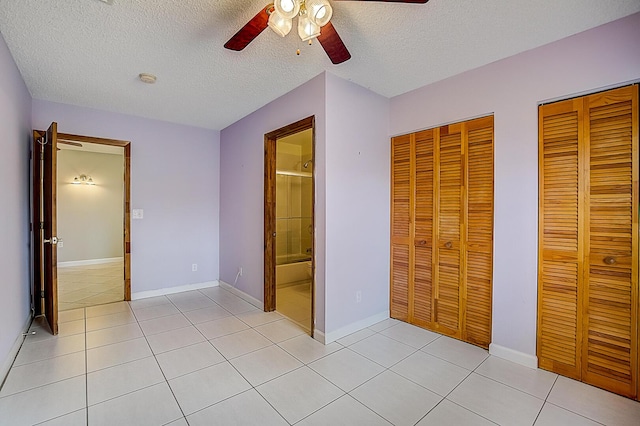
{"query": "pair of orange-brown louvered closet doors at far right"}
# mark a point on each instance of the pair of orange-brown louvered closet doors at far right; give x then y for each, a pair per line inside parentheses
(588, 267)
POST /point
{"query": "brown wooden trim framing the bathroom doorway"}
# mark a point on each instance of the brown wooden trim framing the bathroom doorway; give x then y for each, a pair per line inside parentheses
(270, 211)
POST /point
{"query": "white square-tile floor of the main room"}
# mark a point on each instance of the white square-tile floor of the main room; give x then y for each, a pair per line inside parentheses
(208, 357)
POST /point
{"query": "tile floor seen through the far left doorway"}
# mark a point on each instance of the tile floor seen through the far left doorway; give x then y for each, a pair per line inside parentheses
(89, 285)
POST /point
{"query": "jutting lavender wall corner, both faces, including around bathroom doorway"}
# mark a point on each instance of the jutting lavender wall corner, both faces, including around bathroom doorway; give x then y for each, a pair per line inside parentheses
(352, 197)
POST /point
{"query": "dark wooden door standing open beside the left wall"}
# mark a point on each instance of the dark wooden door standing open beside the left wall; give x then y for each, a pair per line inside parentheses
(45, 226)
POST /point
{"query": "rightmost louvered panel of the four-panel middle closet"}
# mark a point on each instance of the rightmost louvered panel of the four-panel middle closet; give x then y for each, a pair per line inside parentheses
(479, 230)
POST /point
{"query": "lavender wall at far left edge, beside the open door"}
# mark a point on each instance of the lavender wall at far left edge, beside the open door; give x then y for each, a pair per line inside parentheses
(15, 139)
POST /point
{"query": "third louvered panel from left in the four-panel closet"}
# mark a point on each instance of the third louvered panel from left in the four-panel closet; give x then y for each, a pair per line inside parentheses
(448, 165)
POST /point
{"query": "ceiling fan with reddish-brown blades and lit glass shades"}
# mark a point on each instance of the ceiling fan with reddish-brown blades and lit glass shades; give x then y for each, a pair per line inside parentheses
(314, 21)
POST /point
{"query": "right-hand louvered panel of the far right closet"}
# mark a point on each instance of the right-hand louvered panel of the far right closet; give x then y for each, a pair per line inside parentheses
(609, 350)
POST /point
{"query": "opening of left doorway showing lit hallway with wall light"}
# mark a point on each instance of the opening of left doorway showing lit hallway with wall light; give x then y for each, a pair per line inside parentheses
(90, 224)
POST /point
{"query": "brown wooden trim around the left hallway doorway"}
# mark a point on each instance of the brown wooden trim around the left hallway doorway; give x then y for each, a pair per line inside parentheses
(126, 145)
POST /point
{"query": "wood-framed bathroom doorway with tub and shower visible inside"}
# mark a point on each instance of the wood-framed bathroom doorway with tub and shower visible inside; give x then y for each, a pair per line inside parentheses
(289, 223)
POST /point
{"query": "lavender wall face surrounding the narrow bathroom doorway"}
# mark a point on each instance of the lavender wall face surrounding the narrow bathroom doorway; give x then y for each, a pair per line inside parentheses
(242, 188)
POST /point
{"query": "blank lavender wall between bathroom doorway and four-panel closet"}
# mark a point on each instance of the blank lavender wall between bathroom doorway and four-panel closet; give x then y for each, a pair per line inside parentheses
(357, 206)
